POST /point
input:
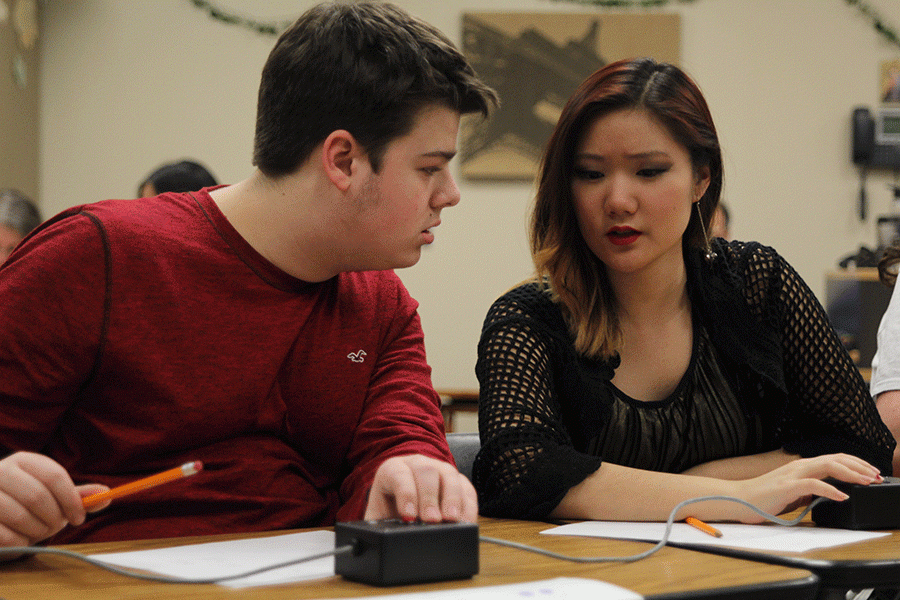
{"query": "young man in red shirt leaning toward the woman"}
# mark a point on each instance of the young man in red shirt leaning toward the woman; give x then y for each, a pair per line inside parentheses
(257, 327)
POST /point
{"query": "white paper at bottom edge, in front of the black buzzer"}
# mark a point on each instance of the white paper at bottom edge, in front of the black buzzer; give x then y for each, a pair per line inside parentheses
(567, 588)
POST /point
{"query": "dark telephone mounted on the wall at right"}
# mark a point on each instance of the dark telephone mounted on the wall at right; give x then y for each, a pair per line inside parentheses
(876, 138)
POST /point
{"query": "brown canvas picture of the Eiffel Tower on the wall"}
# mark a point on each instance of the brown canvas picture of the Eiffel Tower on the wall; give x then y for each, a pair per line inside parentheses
(535, 61)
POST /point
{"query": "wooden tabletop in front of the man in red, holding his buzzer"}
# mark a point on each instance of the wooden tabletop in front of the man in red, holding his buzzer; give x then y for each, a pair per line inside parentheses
(671, 573)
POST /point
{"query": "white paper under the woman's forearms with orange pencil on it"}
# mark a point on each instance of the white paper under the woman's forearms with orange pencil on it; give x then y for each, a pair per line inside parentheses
(751, 537)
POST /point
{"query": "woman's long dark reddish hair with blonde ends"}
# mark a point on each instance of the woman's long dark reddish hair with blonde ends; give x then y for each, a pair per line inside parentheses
(577, 278)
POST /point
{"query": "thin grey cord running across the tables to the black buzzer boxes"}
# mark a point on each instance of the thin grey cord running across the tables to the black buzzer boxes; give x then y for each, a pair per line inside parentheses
(34, 550)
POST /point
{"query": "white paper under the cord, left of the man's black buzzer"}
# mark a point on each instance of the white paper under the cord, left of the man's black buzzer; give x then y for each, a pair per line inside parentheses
(220, 559)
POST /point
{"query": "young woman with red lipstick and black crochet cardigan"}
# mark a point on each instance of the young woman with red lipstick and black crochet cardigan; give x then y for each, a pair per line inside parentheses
(647, 364)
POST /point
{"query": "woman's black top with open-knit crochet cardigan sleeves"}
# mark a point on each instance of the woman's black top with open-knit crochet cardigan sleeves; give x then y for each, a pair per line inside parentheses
(767, 372)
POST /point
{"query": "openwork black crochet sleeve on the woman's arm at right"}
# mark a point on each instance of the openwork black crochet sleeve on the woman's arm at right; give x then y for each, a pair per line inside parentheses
(829, 407)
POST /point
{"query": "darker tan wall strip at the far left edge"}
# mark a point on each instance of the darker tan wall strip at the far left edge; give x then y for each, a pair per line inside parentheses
(19, 114)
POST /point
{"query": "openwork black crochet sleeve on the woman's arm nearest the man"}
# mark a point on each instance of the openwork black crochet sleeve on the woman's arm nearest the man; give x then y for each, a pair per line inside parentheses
(527, 462)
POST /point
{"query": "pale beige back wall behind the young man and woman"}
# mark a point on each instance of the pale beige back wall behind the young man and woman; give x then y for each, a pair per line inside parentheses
(127, 85)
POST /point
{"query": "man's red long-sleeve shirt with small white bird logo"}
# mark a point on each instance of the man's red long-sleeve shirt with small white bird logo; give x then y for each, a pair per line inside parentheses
(137, 335)
